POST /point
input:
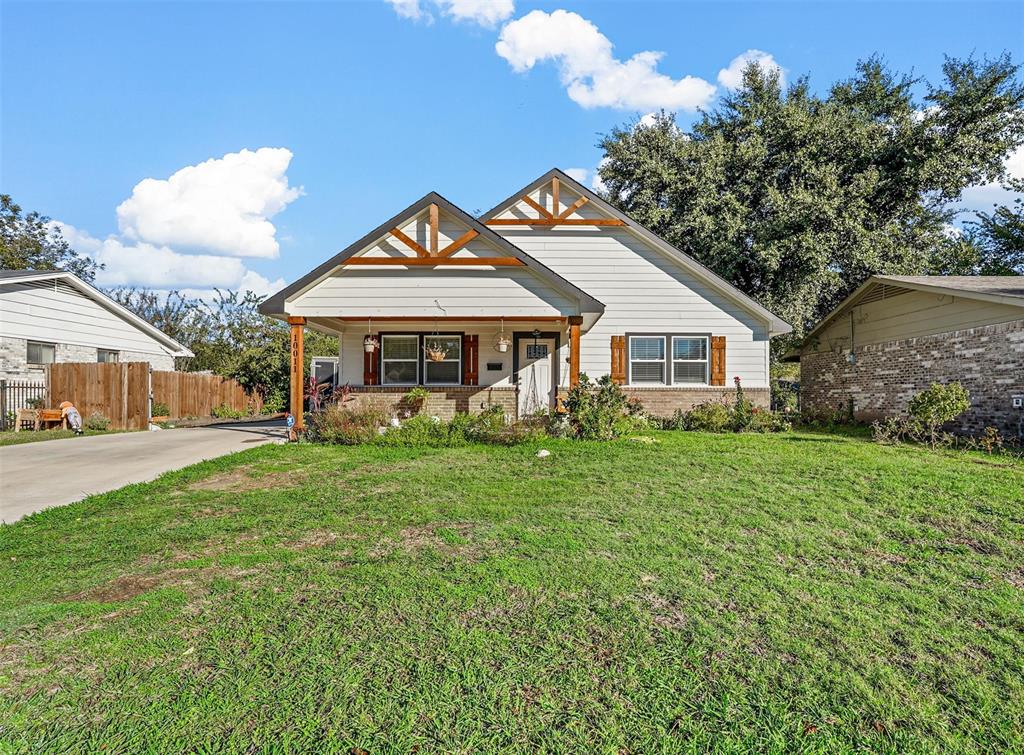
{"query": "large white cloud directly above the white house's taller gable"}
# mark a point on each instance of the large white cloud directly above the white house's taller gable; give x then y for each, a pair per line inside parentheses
(592, 76)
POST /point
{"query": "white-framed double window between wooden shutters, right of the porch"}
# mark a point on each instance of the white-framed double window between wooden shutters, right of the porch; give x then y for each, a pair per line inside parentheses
(668, 360)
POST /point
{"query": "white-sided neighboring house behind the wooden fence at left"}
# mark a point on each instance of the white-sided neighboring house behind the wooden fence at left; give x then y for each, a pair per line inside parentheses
(52, 317)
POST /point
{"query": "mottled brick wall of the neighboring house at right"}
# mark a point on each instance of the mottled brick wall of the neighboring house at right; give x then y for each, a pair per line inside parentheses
(988, 361)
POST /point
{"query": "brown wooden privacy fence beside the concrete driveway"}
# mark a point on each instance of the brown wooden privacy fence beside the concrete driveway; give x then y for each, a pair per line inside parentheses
(125, 393)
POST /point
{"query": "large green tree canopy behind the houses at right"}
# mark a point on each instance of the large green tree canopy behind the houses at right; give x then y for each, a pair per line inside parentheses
(797, 198)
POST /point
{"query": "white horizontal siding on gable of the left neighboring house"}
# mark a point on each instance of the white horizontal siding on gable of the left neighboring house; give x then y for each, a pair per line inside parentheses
(62, 317)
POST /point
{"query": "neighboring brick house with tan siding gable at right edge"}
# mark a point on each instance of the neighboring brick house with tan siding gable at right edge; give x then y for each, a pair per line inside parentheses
(895, 335)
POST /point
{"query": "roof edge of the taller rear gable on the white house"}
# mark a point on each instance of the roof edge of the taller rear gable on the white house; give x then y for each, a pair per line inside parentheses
(778, 325)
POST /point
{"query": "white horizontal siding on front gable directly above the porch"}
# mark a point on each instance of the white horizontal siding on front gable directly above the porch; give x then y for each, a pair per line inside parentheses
(412, 292)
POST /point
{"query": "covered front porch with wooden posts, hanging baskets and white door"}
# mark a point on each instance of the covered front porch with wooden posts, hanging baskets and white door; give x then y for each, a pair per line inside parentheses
(467, 364)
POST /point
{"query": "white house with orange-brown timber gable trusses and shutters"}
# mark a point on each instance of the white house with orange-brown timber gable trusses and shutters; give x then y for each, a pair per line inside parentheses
(510, 308)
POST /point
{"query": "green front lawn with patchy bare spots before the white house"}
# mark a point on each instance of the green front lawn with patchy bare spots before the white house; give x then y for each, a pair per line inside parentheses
(799, 593)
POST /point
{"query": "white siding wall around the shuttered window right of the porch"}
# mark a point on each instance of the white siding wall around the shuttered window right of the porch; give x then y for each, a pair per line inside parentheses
(644, 291)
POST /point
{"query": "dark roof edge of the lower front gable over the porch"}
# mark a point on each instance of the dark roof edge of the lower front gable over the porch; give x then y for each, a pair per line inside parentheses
(275, 307)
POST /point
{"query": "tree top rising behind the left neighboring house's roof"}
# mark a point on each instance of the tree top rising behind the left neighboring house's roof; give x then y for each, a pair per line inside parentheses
(30, 242)
